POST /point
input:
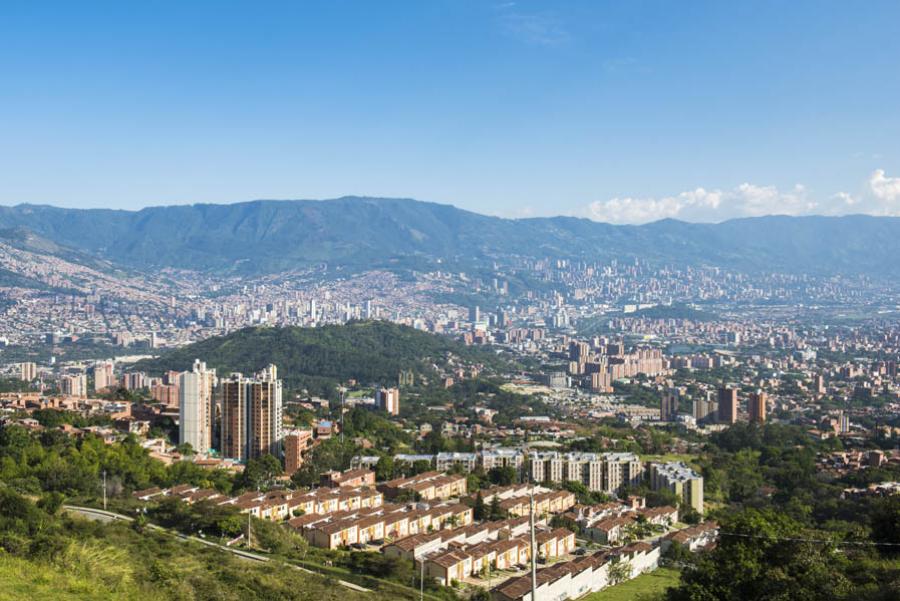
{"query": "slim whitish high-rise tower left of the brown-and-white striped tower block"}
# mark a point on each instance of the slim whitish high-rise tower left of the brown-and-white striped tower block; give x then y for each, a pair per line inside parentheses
(195, 407)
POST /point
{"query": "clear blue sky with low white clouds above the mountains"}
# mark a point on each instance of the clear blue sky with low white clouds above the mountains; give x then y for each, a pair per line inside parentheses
(617, 111)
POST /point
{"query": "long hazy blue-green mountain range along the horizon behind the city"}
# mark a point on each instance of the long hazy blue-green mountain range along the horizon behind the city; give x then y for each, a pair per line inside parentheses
(268, 236)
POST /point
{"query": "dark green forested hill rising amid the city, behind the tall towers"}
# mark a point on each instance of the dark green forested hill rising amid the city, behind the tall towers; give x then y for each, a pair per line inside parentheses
(370, 352)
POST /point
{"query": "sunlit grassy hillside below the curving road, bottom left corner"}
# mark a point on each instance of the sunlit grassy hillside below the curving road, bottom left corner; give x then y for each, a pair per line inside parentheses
(48, 554)
